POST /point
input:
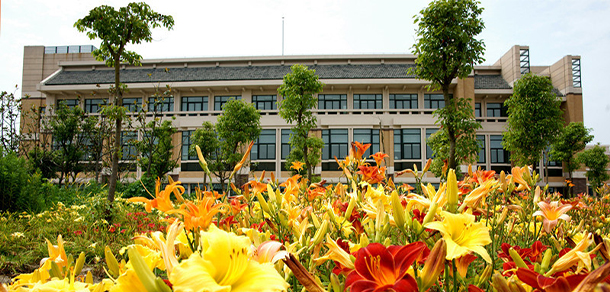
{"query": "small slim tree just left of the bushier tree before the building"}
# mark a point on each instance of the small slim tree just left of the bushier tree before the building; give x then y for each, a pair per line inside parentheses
(207, 139)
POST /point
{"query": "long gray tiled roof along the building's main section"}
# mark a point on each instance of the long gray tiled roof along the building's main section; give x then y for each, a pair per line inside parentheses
(139, 75)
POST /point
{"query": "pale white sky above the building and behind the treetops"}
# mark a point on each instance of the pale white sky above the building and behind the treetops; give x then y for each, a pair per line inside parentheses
(551, 28)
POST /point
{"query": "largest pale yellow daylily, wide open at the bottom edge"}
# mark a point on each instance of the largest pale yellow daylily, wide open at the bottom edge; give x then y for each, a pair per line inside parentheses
(224, 264)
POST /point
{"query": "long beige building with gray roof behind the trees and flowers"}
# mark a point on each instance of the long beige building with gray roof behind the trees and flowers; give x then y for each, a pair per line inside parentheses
(366, 98)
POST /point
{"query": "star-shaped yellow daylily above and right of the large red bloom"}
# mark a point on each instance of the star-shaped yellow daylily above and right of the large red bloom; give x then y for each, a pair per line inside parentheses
(462, 235)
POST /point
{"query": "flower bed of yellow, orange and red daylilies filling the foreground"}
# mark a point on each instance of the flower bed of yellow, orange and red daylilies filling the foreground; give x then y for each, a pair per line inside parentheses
(487, 231)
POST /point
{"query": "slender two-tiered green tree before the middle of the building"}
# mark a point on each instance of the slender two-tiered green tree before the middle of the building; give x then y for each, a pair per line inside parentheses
(299, 89)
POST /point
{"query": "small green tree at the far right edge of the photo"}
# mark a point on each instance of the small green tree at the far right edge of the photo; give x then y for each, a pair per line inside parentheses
(596, 161)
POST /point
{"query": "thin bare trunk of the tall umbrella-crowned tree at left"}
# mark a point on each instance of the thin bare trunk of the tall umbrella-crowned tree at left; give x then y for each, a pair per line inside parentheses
(117, 134)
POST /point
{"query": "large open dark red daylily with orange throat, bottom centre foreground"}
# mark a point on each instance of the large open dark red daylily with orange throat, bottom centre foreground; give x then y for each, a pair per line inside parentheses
(380, 269)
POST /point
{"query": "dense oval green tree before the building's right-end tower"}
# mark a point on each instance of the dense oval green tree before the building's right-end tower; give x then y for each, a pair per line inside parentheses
(534, 119)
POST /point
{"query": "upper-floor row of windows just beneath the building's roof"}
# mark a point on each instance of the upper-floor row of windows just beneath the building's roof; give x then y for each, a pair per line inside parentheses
(269, 102)
